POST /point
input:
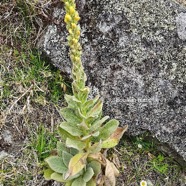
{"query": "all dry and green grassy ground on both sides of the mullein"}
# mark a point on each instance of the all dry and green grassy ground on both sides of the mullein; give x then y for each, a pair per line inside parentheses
(30, 96)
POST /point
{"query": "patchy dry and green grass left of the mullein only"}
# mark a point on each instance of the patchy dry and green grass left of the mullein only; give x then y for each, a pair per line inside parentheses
(29, 91)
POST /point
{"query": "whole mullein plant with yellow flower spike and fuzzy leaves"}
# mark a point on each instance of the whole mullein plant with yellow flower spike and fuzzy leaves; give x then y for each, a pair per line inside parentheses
(86, 135)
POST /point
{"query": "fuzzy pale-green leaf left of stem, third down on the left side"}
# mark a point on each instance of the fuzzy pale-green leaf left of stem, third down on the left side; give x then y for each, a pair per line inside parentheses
(73, 130)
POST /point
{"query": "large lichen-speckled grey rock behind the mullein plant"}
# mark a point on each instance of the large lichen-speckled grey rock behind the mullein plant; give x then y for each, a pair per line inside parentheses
(134, 58)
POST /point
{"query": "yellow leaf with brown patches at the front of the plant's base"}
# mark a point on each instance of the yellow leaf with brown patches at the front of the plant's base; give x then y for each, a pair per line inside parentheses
(76, 164)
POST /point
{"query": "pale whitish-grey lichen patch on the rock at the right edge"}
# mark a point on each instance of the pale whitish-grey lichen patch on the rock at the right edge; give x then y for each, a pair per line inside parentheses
(181, 25)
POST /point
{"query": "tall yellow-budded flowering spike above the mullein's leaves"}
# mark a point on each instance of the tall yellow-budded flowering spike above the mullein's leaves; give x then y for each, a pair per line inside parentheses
(71, 20)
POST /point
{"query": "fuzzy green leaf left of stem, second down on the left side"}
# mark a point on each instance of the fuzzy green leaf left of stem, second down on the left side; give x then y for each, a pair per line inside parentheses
(70, 116)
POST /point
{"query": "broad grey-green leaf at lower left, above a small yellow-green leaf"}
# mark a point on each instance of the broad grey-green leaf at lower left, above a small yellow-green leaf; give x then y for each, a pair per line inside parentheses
(56, 164)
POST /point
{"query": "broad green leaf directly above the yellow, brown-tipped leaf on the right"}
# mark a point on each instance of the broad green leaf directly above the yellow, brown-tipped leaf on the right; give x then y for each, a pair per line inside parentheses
(108, 129)
